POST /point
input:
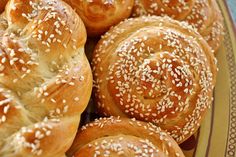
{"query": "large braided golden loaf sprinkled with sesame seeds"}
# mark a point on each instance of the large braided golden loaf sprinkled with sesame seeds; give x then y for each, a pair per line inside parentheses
(45, 78)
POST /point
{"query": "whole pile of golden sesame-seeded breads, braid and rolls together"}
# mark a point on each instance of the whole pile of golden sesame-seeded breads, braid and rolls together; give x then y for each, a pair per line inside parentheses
(151, 66)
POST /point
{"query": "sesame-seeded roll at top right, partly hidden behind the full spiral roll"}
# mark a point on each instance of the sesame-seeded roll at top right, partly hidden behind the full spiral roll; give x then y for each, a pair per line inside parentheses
(204, 15)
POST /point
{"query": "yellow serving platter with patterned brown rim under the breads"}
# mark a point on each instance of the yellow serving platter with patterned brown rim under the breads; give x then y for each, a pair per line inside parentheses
(217, 135)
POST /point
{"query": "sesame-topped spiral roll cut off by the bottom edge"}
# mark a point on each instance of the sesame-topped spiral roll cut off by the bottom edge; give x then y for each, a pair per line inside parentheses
(123, 137)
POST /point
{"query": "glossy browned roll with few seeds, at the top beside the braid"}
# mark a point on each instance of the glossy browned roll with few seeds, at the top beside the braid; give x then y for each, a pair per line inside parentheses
(99, 15)
